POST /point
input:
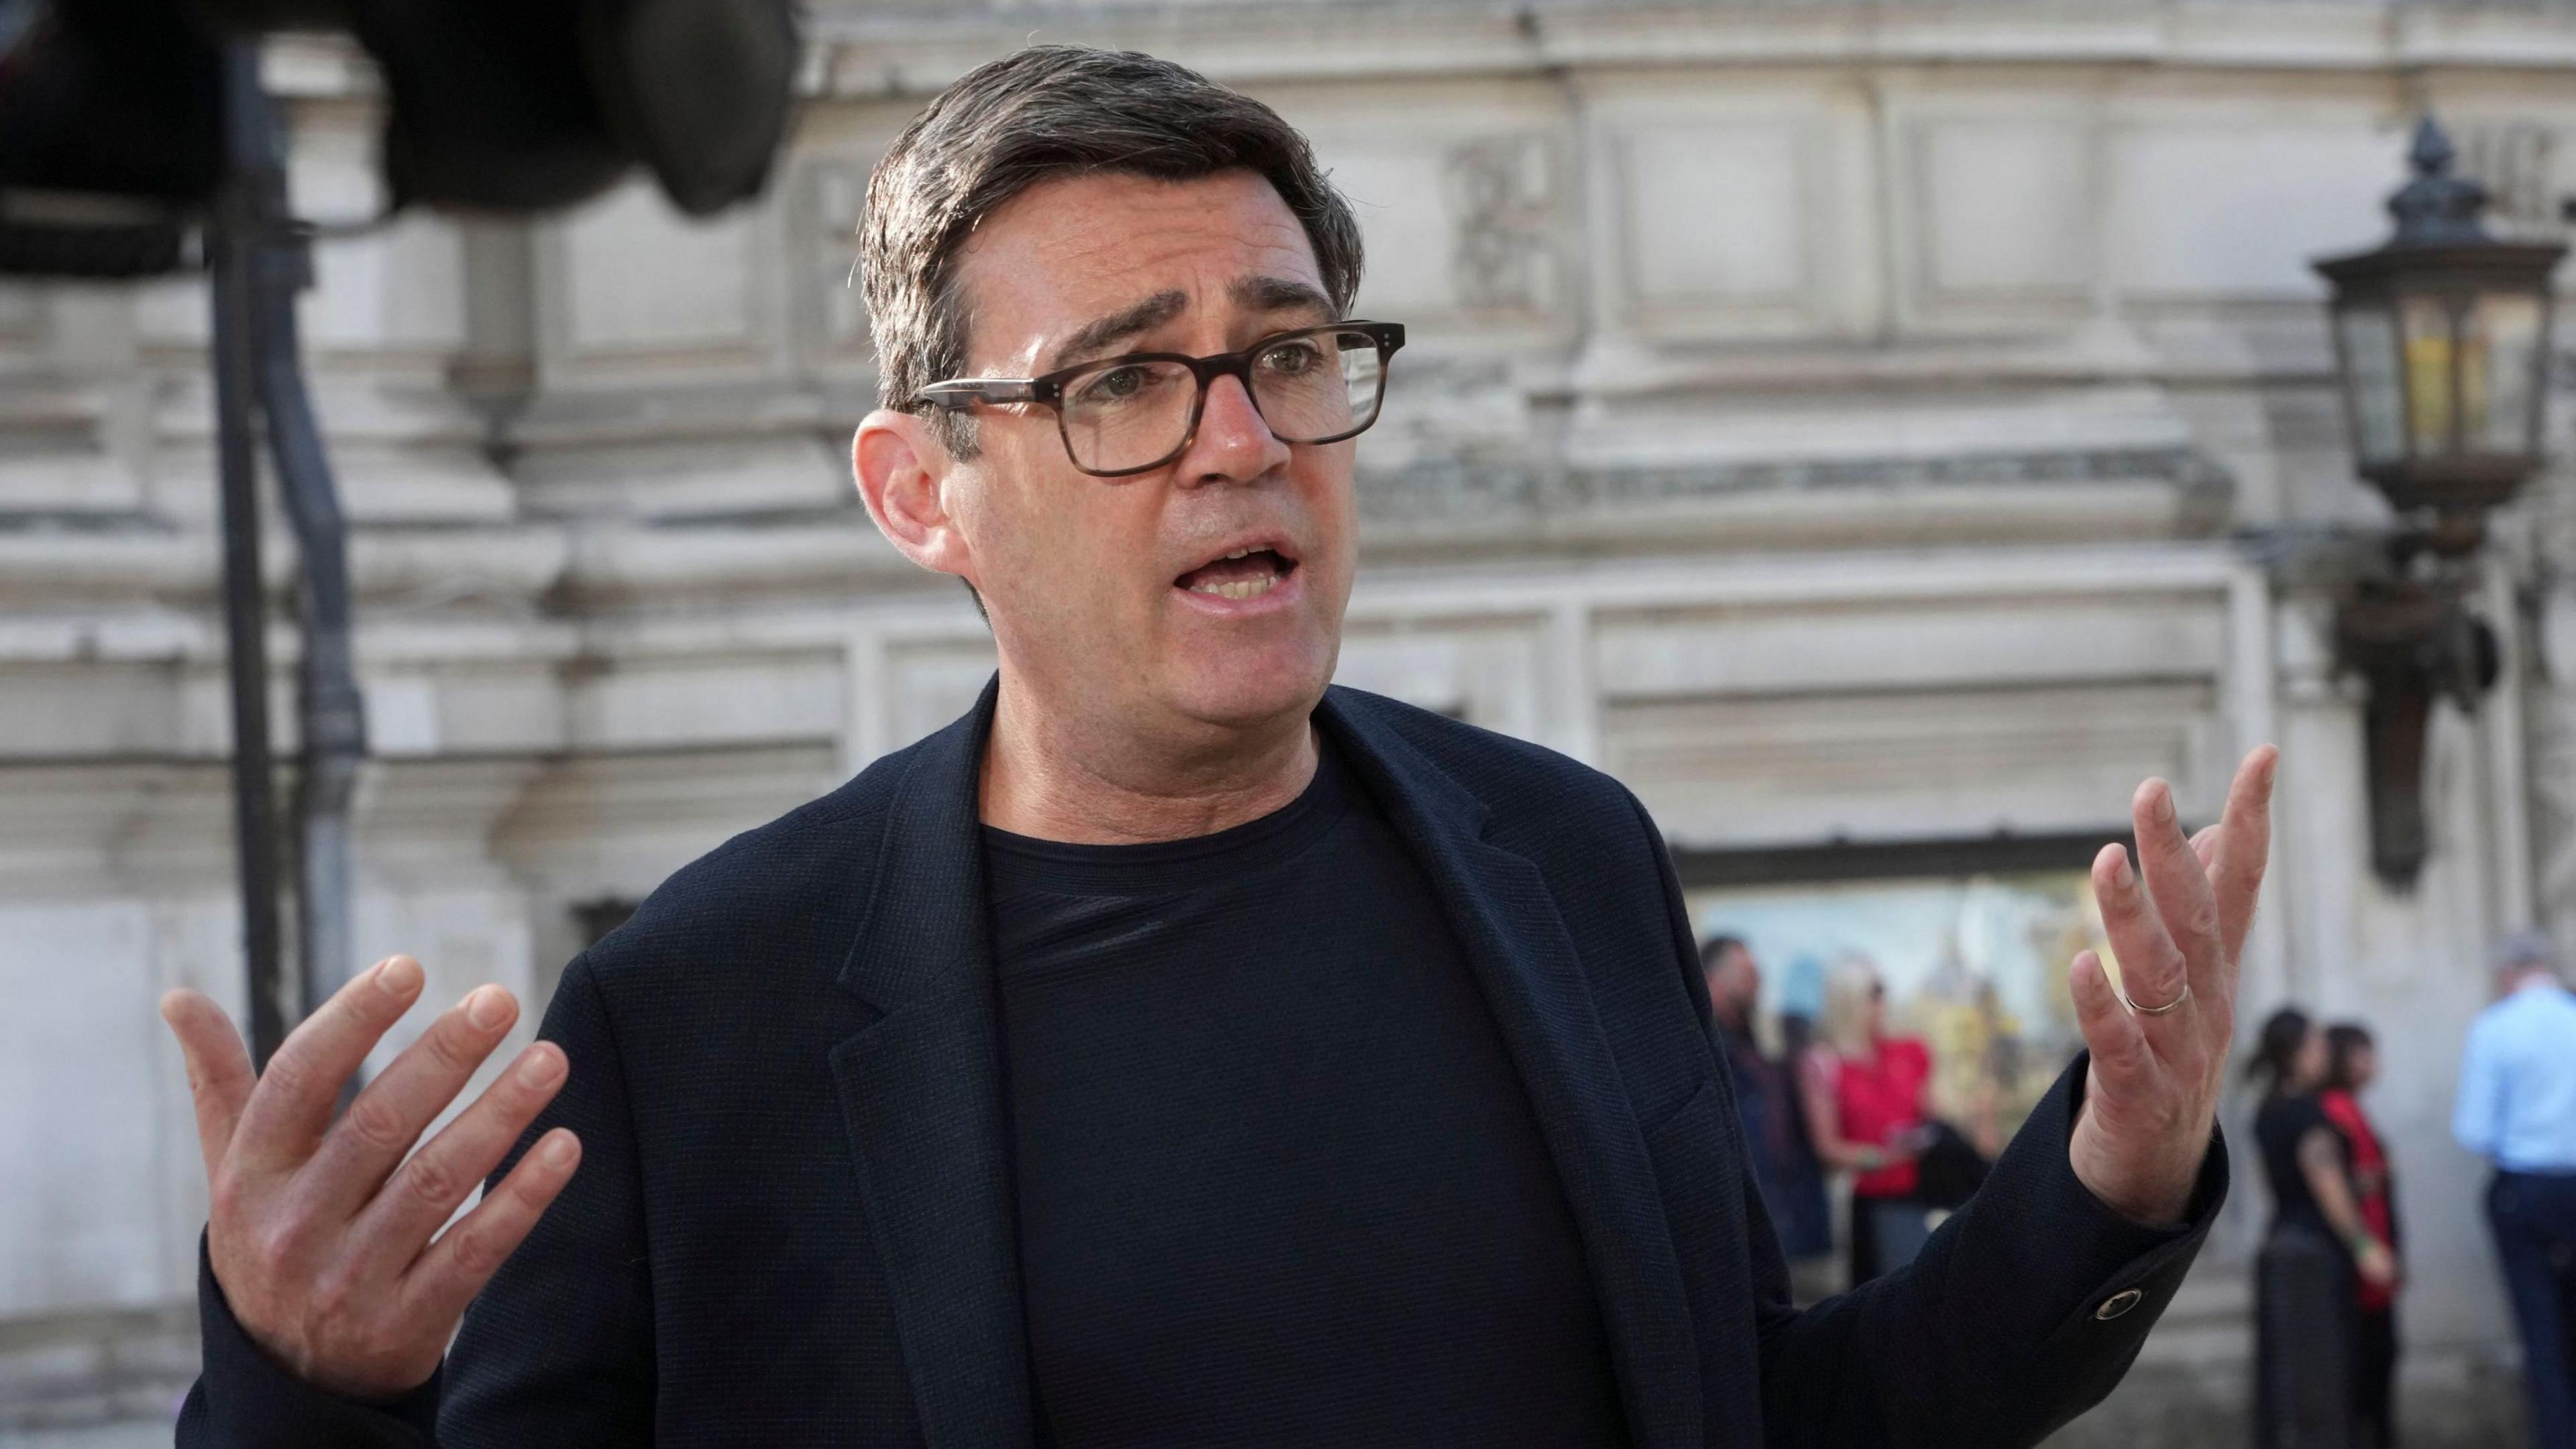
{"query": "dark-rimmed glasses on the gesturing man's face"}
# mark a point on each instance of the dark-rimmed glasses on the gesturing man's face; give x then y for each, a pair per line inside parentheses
(1140, 411)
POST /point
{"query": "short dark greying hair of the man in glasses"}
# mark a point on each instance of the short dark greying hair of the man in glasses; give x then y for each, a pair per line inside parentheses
(1034, 117)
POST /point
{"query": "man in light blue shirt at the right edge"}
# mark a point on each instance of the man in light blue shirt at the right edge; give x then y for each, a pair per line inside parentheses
(2518, 1110)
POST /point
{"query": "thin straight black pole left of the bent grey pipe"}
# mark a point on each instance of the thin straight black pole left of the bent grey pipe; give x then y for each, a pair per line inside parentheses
(236, 254)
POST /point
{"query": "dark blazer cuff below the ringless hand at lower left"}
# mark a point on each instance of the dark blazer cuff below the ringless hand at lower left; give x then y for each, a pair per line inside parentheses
(246, 1399)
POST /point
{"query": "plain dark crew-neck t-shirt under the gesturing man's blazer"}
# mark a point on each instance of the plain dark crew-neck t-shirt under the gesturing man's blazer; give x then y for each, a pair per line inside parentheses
(1276, 1174)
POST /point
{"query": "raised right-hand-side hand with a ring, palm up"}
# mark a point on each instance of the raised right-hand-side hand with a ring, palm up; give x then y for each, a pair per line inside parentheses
(2160, 1056)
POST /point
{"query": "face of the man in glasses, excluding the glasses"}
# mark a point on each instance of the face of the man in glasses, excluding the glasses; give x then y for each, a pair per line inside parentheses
(1199, 597)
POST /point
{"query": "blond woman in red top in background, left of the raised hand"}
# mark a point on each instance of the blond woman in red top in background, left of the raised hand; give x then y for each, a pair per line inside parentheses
(1866, 1110)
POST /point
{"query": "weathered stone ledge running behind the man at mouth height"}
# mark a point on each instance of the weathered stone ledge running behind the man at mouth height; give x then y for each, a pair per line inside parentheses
(1436, 507)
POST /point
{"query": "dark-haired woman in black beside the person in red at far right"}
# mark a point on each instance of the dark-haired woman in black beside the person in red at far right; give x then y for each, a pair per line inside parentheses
(2317, 1252)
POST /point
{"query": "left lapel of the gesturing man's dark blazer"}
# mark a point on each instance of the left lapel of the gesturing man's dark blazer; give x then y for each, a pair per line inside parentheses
(921, 1092)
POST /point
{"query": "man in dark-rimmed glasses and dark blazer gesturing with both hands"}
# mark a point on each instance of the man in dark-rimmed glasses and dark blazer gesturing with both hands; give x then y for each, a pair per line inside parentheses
(1173, 1051)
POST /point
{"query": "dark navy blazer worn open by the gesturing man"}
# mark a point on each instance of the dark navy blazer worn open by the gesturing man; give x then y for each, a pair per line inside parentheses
(795, 1213)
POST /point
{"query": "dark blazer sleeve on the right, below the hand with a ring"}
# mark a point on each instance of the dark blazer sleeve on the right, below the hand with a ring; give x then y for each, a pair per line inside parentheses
(2023, 1311)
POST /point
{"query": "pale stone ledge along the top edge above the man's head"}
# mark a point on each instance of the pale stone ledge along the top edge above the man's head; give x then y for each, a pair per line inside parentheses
(1336, 40)
